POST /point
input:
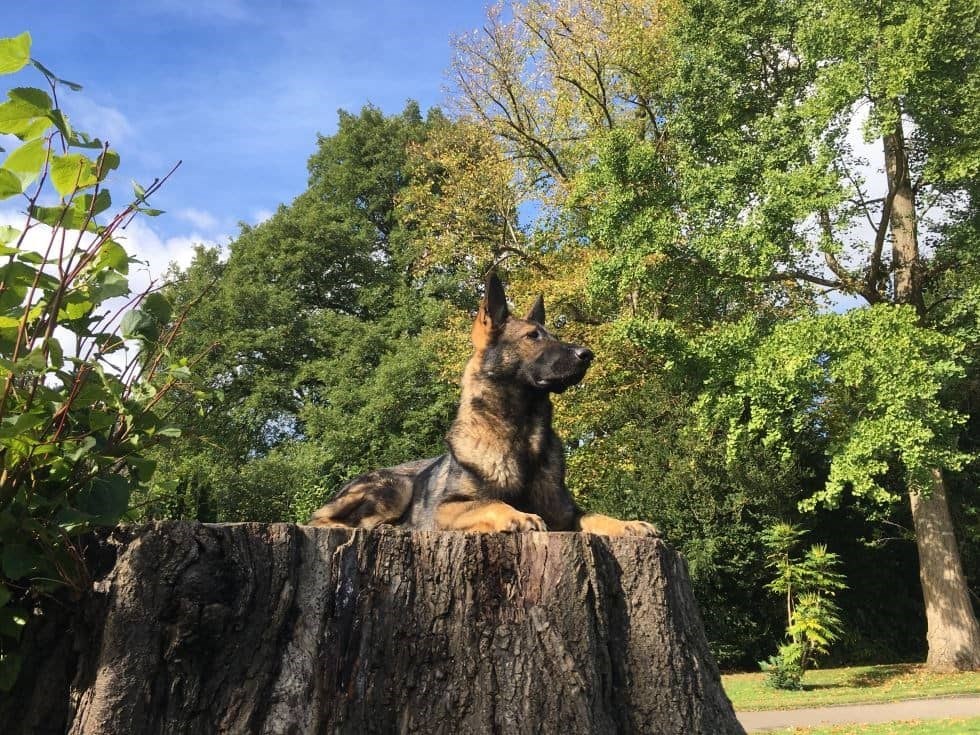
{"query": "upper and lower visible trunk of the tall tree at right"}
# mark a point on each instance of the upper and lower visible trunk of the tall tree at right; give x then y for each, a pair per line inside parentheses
(953, 634)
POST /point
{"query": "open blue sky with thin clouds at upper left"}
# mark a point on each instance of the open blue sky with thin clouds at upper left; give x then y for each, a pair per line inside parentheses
(236, 89)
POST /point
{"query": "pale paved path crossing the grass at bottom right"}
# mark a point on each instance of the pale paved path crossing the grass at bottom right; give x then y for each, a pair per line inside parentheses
(915, 709)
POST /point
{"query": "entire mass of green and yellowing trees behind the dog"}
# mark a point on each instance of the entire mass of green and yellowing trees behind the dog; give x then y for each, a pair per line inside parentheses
(761, 216)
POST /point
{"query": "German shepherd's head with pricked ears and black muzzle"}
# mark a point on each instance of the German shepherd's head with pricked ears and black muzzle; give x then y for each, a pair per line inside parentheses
(522, 350)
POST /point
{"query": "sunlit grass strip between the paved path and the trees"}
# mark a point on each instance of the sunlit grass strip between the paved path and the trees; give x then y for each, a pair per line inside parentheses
(848, 686)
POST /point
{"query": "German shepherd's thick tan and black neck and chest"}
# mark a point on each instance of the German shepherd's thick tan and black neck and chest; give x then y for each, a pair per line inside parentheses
(502, 453)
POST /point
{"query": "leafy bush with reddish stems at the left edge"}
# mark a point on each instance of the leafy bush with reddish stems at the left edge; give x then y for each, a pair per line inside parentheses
(83, 360)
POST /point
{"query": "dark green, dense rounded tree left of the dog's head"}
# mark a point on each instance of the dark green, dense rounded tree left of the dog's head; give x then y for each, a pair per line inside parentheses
(318, 337)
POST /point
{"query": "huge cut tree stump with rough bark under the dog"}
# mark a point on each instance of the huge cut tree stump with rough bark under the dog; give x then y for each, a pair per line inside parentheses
(288, 629)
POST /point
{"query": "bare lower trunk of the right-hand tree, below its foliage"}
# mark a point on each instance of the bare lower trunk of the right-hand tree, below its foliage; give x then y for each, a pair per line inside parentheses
(953, 633)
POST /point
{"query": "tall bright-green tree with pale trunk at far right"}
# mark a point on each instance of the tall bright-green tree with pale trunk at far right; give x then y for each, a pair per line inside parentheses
(802, 81)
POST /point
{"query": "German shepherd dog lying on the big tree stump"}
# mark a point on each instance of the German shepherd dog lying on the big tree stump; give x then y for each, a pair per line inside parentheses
(505, 468)
